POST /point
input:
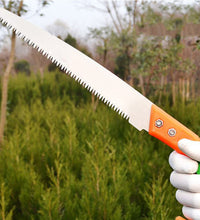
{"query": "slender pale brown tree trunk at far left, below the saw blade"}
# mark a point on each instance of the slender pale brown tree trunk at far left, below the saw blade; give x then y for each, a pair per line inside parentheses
(5, 88)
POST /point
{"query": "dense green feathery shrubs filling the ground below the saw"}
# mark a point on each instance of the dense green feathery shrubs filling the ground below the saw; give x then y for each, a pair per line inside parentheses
(63, 160)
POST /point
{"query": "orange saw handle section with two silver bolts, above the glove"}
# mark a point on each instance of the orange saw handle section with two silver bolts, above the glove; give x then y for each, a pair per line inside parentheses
(167, 129)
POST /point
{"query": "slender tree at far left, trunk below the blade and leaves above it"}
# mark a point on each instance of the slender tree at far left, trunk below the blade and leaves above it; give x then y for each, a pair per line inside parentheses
(19, 8)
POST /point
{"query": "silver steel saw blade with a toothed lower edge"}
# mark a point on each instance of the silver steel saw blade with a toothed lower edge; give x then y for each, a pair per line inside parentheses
(105, 85)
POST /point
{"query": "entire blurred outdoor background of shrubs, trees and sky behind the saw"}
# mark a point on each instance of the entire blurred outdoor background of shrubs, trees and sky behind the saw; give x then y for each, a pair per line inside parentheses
(64, 154)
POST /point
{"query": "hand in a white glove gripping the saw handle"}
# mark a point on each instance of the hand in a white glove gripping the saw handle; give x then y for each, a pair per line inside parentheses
(184, 178)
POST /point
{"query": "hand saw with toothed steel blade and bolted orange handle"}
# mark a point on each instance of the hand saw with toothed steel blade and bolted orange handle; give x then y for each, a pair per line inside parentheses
(137, 109)
